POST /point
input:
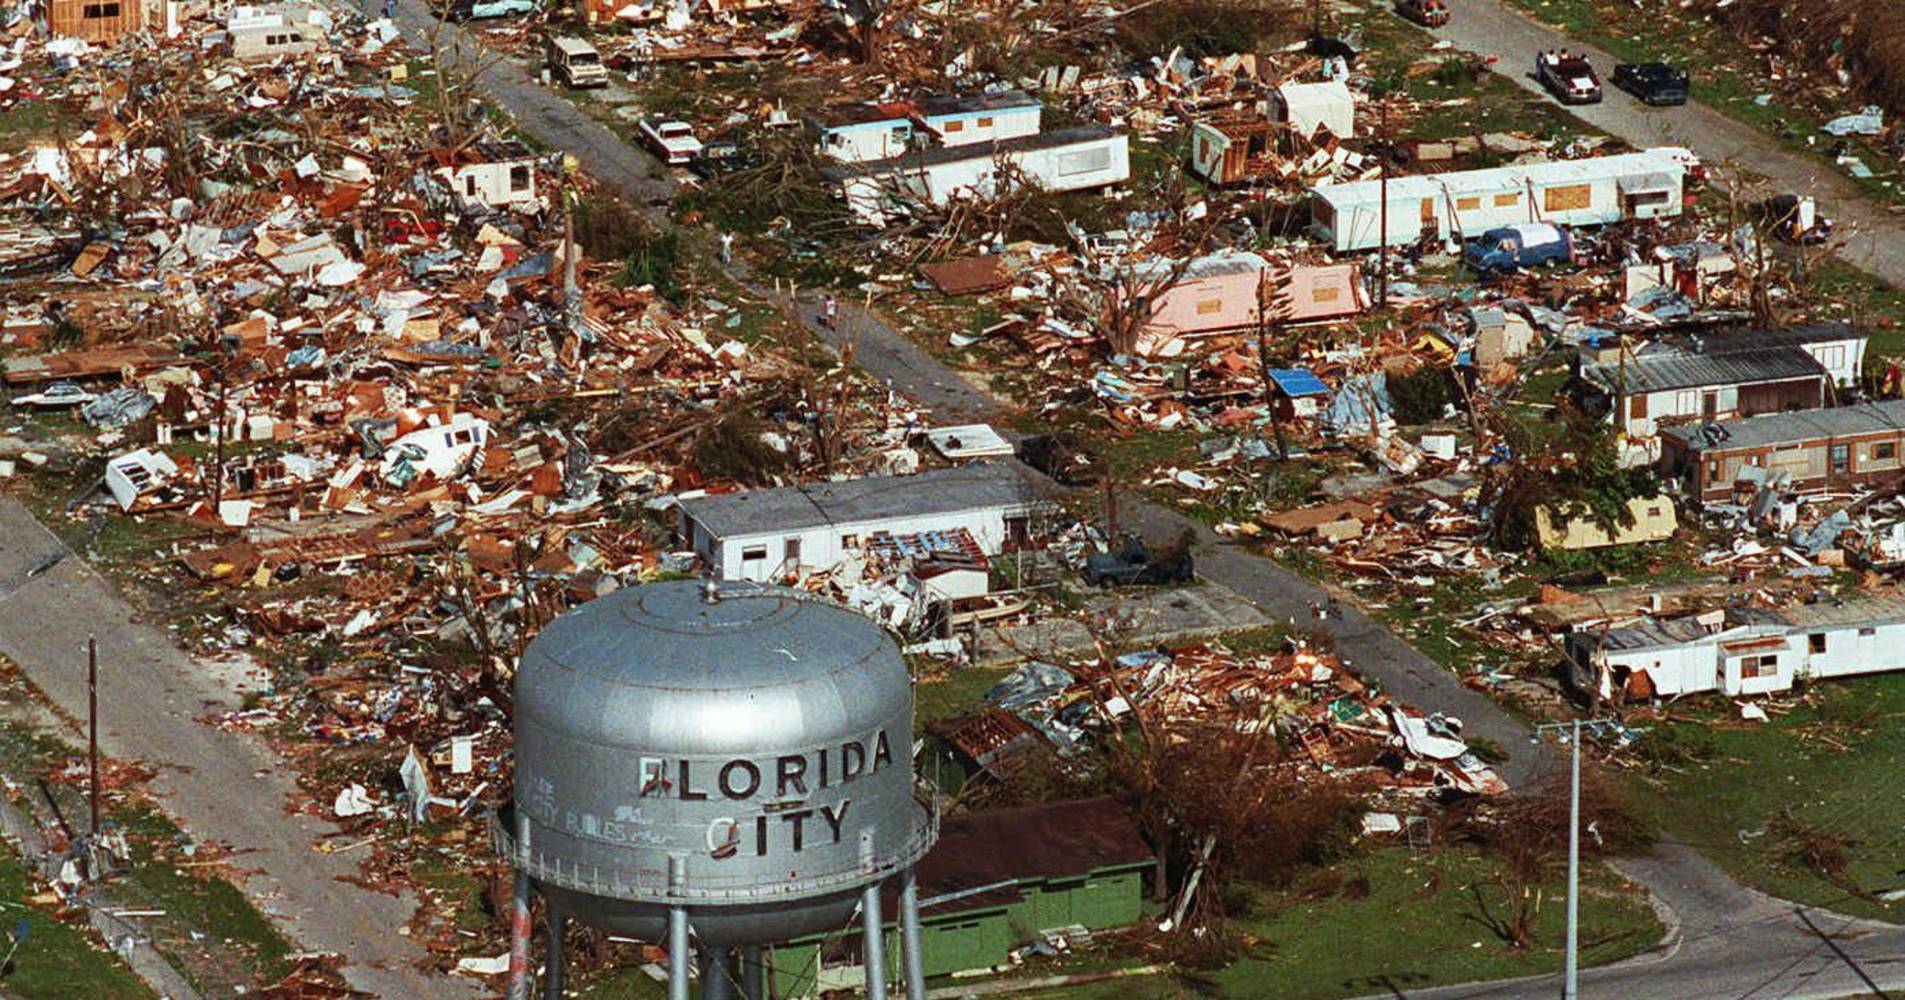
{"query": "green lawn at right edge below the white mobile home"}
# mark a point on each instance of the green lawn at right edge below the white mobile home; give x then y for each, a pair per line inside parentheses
(1832, 765)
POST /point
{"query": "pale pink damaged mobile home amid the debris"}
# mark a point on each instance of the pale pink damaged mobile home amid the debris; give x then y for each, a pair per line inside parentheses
(1220, 294)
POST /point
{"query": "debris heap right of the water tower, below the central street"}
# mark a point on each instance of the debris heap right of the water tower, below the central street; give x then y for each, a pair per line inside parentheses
(1348, 730)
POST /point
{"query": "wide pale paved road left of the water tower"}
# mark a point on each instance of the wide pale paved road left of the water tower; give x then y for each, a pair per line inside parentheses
(222, 788)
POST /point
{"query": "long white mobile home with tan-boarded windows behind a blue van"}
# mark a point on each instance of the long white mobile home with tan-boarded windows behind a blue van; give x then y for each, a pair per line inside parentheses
(1464, 205)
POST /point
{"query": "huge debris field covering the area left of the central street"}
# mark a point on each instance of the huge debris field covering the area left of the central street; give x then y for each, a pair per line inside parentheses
(399, 414)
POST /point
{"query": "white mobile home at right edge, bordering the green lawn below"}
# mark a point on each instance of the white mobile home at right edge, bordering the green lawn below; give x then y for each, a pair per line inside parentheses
(1744, 650)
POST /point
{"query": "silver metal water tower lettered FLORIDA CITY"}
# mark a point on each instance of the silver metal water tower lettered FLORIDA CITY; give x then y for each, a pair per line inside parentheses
(715, 769)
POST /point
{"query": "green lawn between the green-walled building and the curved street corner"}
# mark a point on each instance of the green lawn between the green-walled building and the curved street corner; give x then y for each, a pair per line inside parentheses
(1422, 923)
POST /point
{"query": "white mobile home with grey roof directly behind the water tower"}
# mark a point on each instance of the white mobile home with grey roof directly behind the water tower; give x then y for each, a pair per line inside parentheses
(793, 530)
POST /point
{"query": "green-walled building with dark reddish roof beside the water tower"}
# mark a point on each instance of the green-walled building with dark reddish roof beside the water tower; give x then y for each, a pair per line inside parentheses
(993, 883)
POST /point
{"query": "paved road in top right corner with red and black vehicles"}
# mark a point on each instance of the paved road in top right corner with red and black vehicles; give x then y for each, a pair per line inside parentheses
(1875, 237)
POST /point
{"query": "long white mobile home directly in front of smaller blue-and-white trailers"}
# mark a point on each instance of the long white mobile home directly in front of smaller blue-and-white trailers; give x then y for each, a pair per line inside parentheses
(1073, 159)
